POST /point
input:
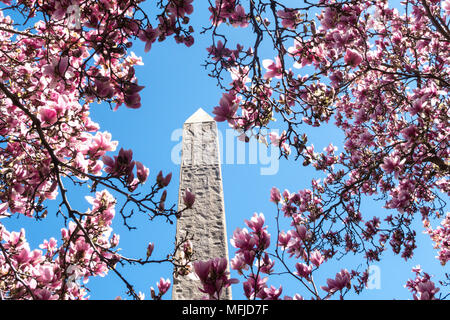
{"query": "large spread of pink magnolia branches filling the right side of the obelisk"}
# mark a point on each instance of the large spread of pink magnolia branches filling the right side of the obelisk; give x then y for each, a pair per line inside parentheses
(394, 147)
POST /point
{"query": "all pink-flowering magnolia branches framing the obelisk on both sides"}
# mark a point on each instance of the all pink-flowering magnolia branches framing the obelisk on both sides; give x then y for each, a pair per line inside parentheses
(380, 74)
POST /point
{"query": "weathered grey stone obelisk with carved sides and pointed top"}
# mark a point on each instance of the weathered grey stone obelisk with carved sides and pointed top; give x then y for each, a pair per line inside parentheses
(205, 221)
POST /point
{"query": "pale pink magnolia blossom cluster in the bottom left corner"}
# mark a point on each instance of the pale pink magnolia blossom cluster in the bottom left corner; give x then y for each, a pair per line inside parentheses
(60, 271)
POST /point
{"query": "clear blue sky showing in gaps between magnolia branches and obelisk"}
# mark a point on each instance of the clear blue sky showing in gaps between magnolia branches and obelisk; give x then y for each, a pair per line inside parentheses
(176, 85)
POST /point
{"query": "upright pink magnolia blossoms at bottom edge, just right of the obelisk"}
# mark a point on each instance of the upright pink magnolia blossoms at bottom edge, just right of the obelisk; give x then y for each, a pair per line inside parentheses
(253, 249)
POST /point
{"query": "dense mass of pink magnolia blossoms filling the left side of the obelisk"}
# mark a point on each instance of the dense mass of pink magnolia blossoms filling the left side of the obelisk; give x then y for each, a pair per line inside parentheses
(56, 67)
